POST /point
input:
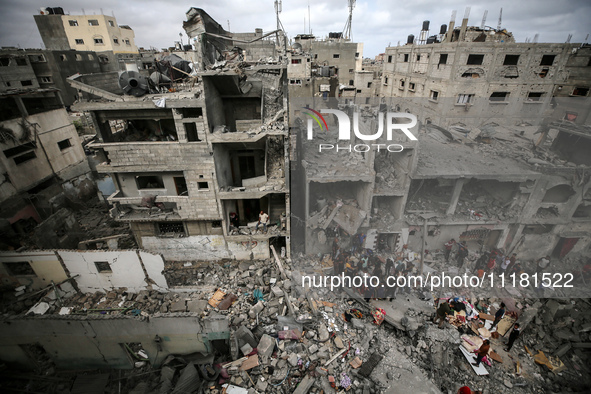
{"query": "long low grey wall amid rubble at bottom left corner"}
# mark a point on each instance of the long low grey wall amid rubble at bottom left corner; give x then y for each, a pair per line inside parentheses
(66, 339)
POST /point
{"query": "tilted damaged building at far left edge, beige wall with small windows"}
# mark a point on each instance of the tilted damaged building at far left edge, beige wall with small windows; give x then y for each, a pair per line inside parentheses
(42, 160)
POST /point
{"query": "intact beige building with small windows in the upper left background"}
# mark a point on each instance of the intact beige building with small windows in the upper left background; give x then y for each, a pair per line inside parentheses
(99, 33)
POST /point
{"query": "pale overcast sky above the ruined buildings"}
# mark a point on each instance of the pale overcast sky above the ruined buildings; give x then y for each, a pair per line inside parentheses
(375, 23)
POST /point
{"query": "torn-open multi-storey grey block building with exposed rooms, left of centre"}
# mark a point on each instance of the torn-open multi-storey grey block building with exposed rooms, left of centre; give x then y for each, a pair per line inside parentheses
(196, 156)
